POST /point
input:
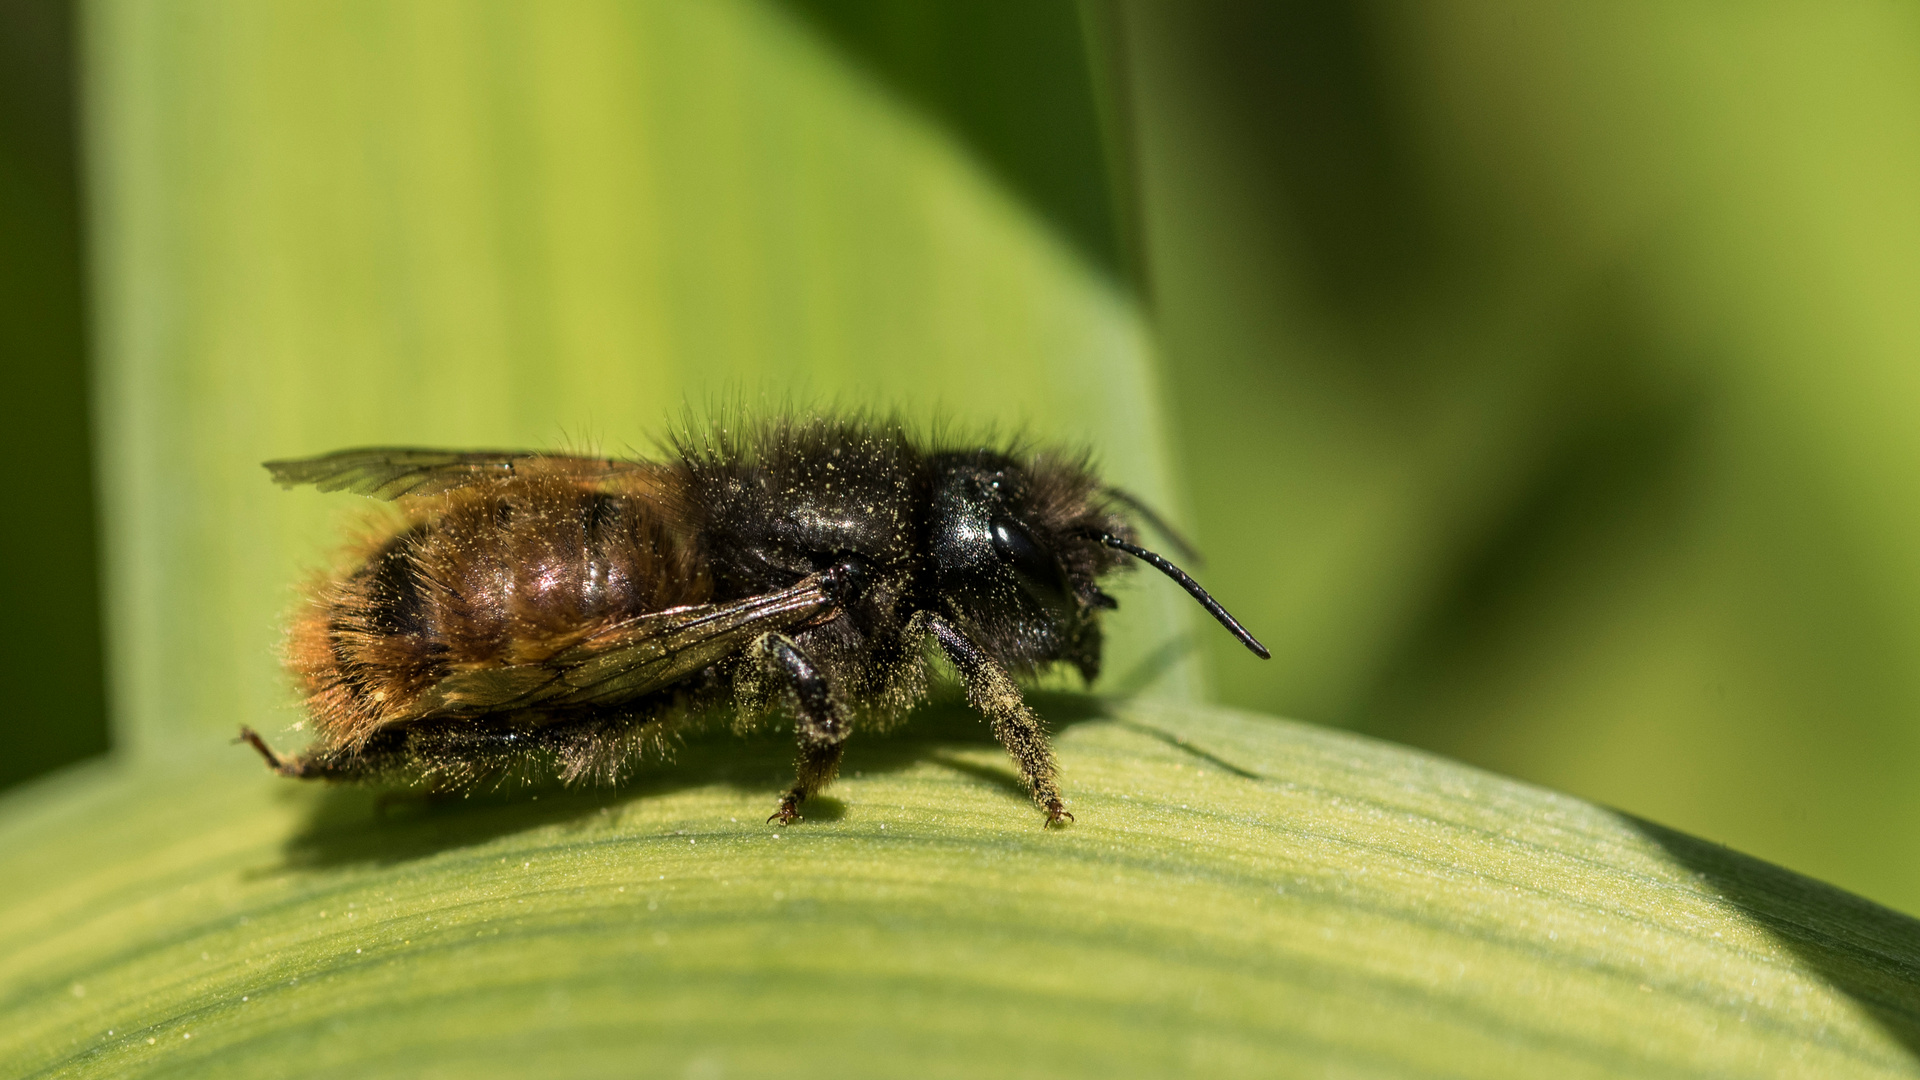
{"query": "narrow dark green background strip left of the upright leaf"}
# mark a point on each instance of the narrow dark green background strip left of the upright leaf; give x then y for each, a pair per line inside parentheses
(49, 591)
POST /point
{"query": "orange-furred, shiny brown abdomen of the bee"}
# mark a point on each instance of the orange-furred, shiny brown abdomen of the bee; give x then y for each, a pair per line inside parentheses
(489, 576)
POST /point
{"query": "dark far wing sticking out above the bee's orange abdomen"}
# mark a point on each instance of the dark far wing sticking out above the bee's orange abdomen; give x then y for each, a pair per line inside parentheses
(395, 472)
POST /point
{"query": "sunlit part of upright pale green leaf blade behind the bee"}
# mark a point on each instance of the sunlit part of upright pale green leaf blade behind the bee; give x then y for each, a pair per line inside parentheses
(529, 226)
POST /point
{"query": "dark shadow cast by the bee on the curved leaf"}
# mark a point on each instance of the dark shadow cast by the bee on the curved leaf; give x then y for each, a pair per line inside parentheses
(350, 825)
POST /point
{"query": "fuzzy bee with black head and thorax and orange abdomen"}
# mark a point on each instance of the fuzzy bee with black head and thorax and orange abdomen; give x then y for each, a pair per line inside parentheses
(548, 614)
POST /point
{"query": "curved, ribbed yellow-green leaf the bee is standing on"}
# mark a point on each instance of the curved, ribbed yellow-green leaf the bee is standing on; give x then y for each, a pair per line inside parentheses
(1241, 896)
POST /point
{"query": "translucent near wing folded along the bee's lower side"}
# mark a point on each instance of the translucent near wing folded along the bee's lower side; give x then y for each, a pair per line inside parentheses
(642, 656)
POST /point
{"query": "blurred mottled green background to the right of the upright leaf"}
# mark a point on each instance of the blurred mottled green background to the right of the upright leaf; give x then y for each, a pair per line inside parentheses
(1548, 391)
